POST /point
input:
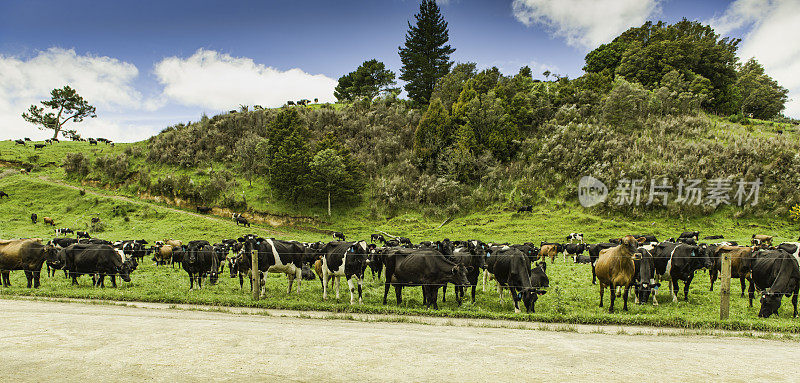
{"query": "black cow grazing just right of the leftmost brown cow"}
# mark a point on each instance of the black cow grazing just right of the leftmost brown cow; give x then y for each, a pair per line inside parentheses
(97, 260)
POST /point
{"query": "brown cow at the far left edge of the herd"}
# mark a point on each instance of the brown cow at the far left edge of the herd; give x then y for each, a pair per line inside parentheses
(27, 255)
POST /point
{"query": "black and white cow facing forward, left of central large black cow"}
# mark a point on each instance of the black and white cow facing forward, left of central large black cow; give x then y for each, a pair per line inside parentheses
(344, 259)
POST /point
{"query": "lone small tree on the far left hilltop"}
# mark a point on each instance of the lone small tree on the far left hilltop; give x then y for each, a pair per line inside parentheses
(67, 105)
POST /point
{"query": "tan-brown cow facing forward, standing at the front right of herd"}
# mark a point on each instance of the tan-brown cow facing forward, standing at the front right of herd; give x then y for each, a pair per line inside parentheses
(615, 269)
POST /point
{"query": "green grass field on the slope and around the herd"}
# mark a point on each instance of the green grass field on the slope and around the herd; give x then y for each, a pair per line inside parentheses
(571, 299)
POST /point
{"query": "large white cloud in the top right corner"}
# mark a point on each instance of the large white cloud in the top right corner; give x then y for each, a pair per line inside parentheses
(772, 27)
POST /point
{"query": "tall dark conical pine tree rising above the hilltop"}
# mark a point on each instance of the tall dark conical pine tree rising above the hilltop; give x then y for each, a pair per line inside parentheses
(425, 56)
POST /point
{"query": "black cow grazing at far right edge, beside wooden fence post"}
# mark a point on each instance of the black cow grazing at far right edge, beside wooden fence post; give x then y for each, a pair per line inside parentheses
(776, 273)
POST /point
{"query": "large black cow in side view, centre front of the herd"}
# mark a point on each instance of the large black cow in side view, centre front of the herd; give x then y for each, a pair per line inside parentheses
(421, 267)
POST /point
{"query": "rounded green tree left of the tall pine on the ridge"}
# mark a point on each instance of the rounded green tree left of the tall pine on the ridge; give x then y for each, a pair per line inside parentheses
(369, 80)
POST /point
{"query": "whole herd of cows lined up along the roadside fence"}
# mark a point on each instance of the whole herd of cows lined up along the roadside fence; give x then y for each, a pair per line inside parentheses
(633, 261)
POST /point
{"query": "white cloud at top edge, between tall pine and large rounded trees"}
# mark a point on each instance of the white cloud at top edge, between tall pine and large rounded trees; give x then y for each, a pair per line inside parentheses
(585, 23)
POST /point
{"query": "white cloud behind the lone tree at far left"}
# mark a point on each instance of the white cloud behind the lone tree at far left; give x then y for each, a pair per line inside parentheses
(104, 82)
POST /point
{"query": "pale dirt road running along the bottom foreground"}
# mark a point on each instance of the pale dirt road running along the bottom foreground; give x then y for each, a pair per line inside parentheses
(52, 341)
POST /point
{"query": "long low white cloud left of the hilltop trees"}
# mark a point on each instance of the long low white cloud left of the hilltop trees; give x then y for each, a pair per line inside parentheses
(217, 80)
